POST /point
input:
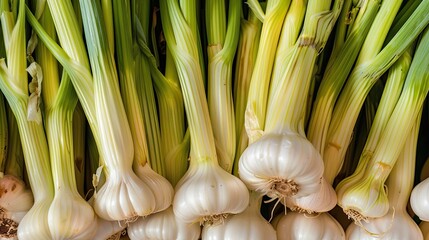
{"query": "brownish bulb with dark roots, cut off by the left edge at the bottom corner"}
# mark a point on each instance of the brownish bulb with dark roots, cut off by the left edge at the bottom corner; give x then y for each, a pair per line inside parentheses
(15, 201)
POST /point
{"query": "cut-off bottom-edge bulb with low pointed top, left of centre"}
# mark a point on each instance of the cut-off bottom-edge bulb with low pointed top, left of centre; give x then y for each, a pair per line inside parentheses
(163, 225)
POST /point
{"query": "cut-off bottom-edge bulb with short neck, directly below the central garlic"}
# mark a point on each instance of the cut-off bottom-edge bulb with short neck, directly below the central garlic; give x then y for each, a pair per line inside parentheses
(246, 225)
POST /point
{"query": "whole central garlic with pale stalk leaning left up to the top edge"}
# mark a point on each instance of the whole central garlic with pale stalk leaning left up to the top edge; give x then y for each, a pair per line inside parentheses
(205, 179)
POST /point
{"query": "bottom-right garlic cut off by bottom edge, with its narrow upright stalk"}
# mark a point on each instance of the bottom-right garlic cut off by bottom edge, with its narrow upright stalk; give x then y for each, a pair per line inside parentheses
(396, 224)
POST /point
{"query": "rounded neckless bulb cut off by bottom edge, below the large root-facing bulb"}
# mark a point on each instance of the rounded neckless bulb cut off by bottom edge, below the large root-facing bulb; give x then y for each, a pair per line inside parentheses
(296, 226)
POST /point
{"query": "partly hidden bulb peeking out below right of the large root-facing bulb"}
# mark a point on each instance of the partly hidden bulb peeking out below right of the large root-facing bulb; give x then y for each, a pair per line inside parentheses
(321, 201)
